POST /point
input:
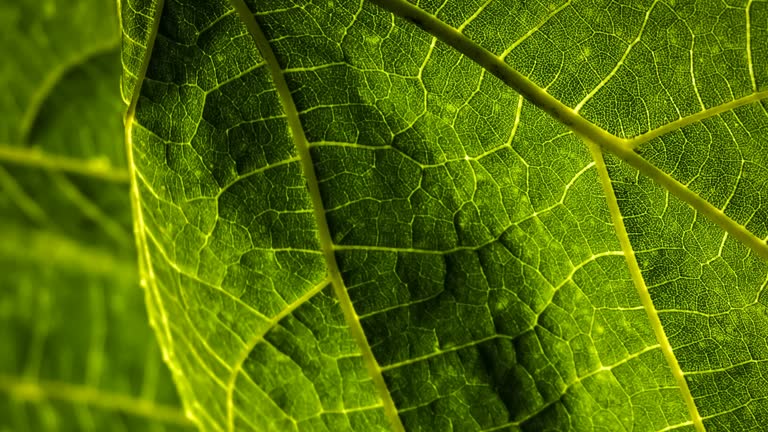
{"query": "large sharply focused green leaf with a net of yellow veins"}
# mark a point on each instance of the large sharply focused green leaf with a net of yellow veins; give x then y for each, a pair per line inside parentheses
(455, 215)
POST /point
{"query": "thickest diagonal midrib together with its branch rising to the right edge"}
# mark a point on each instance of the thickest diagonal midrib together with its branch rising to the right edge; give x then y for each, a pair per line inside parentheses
(622, 148)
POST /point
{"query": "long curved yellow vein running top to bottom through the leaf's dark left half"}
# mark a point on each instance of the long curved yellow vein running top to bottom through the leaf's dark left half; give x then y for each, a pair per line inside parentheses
(326, 242)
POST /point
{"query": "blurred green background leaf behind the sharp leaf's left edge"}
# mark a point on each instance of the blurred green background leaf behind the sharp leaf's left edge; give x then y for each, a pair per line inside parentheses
(77, 351)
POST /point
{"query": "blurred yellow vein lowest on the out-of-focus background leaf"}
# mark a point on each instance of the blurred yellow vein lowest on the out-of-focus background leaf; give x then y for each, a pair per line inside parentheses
(38, 391)
